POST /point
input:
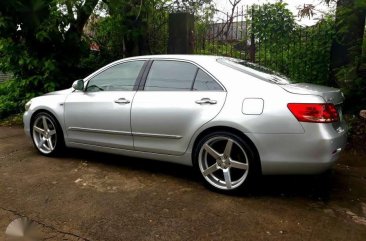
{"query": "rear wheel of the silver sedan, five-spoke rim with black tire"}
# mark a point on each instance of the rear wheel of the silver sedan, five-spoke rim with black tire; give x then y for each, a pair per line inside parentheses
(225, 161)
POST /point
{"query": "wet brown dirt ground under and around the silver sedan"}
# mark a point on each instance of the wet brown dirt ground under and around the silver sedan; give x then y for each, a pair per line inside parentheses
(91, 196)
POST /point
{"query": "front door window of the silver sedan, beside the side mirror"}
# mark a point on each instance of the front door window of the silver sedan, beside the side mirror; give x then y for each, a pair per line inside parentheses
(116, 78)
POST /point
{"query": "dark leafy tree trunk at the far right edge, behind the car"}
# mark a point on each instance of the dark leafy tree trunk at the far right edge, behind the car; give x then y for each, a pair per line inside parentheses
(348, 62)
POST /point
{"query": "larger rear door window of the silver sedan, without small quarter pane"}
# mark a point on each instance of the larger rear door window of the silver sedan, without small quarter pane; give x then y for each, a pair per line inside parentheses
(170, 75)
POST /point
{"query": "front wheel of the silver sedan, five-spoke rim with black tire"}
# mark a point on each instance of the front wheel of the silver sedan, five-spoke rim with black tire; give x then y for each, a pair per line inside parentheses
(47, 134)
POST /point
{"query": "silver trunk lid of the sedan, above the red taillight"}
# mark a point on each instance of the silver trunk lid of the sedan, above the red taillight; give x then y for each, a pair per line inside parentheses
(330, 95)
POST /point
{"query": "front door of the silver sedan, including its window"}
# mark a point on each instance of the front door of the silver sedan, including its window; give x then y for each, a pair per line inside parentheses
(100, 115)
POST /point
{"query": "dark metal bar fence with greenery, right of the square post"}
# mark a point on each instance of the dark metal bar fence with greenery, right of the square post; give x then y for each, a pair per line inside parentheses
(303, 55)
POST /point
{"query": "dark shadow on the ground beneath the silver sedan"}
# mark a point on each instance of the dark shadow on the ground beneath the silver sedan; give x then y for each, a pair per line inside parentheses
(314, 187)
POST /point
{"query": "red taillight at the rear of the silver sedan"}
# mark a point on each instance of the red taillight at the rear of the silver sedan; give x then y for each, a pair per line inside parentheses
(318, 113)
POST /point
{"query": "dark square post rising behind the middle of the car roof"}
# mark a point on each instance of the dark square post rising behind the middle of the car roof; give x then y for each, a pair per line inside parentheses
(181, 33)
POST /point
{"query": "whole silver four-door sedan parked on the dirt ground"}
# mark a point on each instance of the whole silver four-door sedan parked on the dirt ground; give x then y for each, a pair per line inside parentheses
(230, 119)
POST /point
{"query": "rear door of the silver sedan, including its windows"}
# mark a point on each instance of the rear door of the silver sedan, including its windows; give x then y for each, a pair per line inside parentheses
(178, 98)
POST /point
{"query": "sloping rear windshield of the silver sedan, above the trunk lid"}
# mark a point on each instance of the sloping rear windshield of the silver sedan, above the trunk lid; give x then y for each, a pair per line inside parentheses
(255, 70)
